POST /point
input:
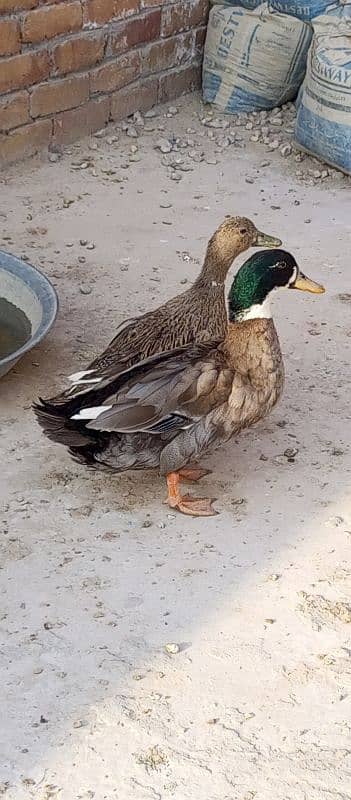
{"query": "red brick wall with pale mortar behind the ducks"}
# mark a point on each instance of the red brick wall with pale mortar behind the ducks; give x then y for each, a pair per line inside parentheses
(67, 67)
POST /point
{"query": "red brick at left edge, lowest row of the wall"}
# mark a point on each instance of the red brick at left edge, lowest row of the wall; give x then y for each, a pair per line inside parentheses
(25, 141)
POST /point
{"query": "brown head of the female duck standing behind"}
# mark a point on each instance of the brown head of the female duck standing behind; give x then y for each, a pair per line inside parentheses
(234, 236)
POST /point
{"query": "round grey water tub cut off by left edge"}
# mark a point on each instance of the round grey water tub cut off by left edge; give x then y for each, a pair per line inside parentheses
(24, 291)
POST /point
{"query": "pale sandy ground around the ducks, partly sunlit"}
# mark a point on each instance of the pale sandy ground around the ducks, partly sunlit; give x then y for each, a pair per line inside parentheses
(97, 575)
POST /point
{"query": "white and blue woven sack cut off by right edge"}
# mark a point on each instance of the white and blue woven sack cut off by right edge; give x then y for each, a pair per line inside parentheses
(323, 124)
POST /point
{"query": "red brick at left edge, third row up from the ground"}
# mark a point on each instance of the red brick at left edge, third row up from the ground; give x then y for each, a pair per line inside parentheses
(23, 70)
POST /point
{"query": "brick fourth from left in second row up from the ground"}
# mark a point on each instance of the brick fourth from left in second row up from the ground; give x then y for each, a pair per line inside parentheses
(167, 54)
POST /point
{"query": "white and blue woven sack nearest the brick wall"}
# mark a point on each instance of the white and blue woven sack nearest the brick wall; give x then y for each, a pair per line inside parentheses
(253, 59)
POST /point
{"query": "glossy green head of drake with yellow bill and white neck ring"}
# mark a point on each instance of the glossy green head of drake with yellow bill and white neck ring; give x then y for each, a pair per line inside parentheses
(259, 276)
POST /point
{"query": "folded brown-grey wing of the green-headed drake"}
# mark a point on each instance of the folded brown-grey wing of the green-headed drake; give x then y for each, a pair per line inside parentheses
(163, 393)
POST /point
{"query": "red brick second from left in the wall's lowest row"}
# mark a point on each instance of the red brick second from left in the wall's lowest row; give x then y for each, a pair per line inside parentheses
(72, 125)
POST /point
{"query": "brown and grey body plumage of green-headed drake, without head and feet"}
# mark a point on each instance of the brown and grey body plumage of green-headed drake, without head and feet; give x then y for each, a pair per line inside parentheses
(171, 407)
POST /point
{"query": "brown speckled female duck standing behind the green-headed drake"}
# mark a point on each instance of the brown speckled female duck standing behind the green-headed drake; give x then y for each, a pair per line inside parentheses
(198, 314)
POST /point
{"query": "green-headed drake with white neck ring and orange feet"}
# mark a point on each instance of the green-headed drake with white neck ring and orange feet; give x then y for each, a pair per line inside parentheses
(169, 409)
